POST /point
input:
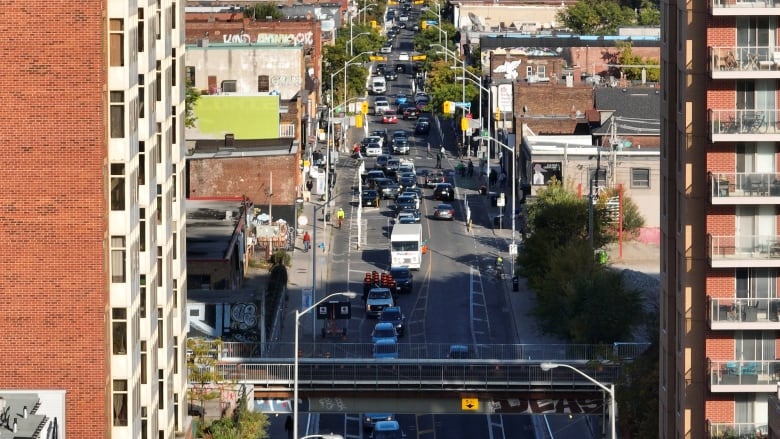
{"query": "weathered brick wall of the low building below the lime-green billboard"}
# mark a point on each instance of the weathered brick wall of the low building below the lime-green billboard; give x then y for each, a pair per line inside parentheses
(246, 176)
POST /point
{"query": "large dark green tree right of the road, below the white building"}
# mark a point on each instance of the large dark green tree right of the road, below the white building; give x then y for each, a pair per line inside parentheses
(577, 298)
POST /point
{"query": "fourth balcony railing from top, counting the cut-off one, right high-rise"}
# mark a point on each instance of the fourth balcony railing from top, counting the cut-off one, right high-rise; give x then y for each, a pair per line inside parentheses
(727, 185)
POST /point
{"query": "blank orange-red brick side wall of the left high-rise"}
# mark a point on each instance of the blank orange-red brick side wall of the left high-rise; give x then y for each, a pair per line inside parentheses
(54, 272)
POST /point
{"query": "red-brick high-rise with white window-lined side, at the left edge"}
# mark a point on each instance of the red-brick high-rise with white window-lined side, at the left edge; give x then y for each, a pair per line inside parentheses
(93, 260)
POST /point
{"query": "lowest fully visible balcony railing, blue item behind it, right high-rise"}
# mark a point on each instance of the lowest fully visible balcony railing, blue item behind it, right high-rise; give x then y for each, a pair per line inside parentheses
(744, 375)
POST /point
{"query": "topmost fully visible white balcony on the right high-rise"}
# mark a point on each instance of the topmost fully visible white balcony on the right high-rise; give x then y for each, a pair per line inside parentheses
(744, 62)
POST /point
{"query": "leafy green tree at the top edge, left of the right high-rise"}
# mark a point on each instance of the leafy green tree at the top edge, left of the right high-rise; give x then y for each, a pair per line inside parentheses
(596, 17)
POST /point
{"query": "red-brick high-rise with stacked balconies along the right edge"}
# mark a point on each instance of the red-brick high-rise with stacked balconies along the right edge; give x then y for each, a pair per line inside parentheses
(719, 215)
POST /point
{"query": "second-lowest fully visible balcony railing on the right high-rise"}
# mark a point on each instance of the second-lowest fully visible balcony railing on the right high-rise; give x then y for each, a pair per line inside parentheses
(744, 313)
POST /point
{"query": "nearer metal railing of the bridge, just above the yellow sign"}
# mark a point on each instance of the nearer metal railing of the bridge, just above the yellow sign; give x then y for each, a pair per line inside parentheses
(370, 374)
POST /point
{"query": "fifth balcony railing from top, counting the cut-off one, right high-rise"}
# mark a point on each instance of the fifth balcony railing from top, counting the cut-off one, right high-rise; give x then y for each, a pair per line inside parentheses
(734, 251)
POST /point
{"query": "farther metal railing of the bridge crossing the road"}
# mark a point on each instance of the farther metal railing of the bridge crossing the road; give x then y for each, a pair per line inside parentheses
(243, 352)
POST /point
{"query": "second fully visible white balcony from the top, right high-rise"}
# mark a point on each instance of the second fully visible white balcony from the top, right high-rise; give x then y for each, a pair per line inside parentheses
(739, 125)
